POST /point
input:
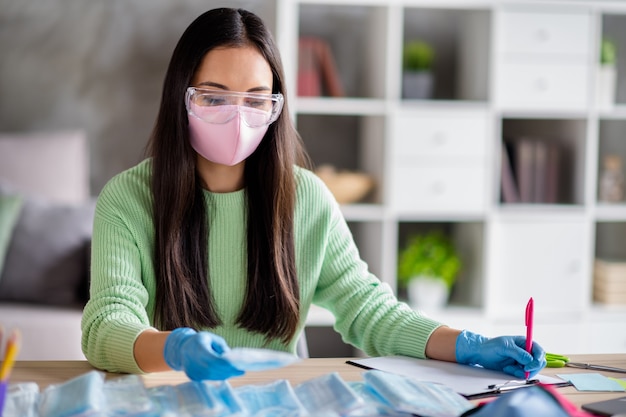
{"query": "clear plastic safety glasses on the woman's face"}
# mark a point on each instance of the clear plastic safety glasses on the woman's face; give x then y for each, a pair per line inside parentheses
(216, 106)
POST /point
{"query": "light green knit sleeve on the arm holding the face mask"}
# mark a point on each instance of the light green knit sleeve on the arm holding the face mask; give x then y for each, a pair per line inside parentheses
(116, 312)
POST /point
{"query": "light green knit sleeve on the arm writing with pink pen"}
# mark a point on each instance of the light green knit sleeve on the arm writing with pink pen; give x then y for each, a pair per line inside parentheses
(367, 314)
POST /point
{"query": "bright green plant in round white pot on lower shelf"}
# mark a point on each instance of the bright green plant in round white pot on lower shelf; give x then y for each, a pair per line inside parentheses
(428, 266)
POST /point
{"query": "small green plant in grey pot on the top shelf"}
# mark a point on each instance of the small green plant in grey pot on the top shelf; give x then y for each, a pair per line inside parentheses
(417, 63)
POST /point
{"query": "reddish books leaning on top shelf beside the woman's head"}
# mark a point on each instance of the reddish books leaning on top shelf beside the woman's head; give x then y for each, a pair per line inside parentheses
(317, 72)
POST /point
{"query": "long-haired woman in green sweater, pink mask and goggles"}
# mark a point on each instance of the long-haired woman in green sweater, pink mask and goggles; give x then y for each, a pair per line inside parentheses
(221, 230)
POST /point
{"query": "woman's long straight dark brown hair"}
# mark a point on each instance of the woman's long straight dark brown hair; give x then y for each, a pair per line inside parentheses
(183, 295)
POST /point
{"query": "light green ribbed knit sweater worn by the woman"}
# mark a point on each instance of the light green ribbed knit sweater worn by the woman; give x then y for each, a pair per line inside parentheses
(330, 272)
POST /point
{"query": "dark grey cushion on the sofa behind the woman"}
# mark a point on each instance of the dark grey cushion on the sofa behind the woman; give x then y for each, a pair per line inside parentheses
(47, 259)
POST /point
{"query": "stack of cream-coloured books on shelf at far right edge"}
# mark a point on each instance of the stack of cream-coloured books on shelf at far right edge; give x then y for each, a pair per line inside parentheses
(609, 282)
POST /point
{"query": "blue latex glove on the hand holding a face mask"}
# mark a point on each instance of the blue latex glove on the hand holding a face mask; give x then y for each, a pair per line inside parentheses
(199, 354)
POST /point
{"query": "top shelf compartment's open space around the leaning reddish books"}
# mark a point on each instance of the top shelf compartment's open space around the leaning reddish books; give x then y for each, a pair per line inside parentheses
(356, 36)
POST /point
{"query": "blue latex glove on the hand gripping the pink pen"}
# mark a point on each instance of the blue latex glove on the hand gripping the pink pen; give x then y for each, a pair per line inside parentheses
(503, 353)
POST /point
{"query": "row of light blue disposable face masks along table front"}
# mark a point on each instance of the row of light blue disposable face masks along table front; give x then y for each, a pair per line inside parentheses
(379, 394)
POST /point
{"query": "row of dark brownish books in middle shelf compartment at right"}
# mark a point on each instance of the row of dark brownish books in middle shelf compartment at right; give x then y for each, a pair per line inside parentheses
(530, 171)
